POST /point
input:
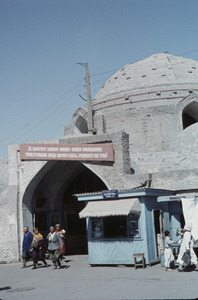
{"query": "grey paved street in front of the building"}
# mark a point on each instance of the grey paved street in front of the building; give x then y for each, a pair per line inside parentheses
(77, 280)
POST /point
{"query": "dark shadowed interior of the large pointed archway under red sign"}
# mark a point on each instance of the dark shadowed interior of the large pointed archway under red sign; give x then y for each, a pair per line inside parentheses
(50, 200)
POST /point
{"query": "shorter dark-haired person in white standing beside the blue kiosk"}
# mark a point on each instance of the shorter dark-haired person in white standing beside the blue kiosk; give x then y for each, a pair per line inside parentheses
(168, 252)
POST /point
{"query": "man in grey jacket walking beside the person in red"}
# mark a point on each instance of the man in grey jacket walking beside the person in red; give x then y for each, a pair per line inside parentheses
(54, 242)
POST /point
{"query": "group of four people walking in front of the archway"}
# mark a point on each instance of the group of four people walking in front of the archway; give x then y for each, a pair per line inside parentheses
(35, 249)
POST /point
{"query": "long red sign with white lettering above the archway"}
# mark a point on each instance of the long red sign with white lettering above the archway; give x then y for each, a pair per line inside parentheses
(80, 152)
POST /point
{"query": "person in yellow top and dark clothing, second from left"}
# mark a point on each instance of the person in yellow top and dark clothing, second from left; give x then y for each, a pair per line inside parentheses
(38, 248)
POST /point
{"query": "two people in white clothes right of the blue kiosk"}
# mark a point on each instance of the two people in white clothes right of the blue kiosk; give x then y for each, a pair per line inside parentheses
(186, 256)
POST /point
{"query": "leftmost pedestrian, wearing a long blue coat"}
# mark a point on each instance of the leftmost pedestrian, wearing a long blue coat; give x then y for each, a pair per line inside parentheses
(27, 241)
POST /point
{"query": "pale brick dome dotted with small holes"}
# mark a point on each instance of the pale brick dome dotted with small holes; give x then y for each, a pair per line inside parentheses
(160, 76)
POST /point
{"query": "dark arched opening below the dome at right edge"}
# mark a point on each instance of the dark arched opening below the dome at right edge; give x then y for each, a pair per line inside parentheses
(190, 115)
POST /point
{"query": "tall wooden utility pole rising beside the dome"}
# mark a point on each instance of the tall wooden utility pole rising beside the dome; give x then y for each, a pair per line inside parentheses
(89, 101)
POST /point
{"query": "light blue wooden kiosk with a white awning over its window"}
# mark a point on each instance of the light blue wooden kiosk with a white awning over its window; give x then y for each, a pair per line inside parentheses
(123, 223)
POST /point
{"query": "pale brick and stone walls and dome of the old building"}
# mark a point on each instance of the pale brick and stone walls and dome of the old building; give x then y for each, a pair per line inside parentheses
(148, 111)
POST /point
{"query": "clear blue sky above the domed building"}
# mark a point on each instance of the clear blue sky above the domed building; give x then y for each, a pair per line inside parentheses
(41, 42)
